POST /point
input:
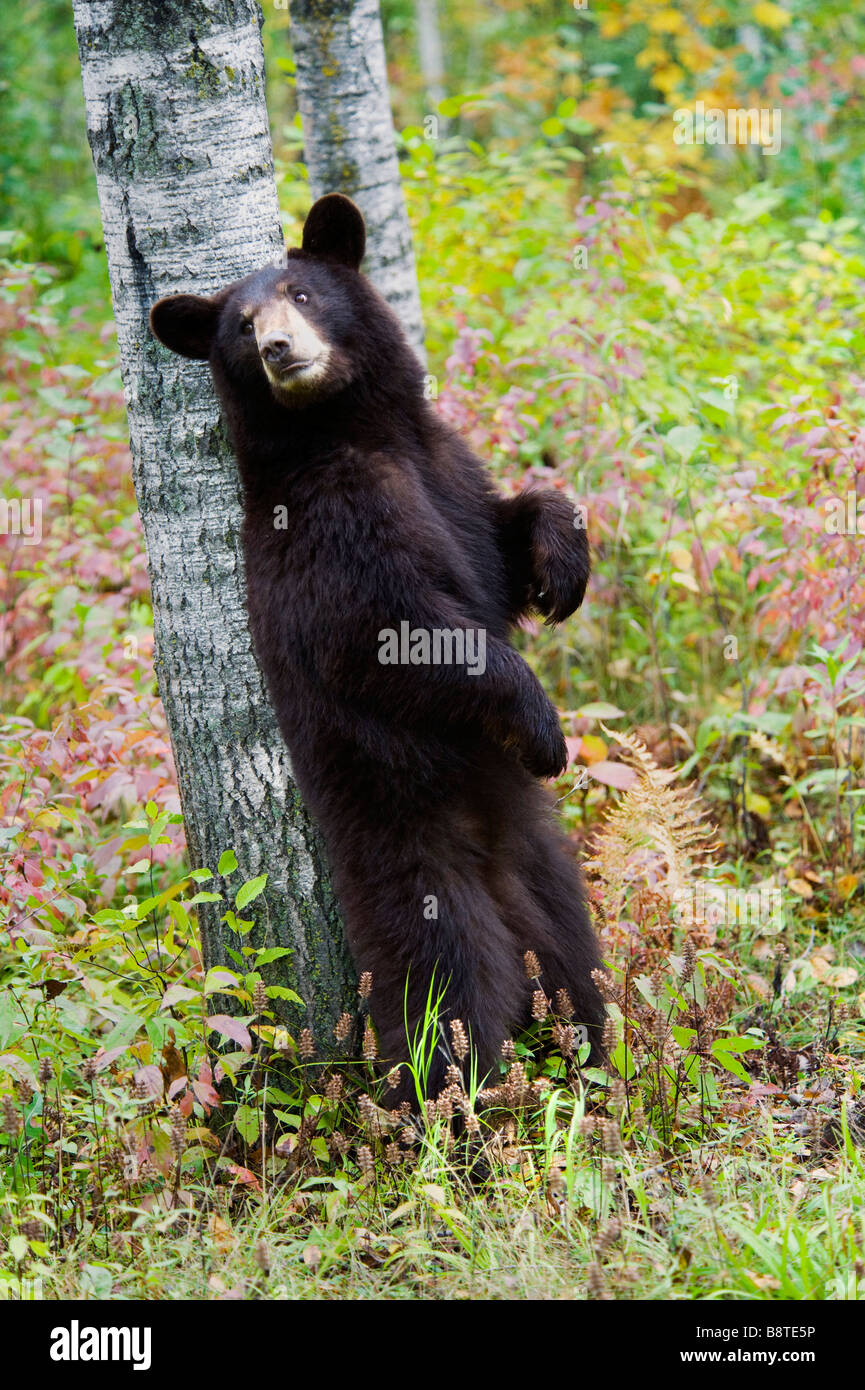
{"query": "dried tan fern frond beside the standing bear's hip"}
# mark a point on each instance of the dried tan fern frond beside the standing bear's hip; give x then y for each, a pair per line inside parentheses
(656, 835)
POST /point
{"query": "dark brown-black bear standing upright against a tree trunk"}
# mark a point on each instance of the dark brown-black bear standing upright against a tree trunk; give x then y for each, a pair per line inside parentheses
(385, 575)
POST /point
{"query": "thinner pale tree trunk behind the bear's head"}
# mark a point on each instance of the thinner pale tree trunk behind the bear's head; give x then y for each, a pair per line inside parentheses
(348, 137)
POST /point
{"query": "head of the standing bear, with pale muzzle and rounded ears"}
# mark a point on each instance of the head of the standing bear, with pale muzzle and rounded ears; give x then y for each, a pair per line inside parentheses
(305, 330)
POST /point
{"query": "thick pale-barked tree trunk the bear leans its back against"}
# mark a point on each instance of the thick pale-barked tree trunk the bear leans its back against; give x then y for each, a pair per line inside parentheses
(179, 130)
